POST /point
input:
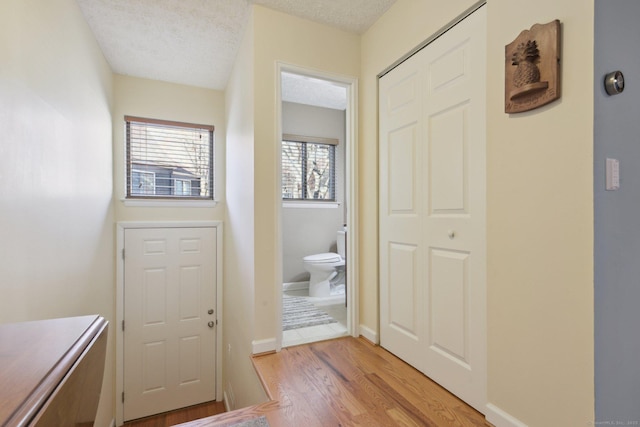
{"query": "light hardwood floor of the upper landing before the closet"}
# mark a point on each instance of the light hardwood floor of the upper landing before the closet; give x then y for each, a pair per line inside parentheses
(347, 382)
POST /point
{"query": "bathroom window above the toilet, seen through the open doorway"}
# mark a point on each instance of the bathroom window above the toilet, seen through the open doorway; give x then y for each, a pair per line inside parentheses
(308, 168)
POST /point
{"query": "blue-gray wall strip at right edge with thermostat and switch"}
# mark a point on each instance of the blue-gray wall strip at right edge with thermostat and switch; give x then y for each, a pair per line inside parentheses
(617, 214)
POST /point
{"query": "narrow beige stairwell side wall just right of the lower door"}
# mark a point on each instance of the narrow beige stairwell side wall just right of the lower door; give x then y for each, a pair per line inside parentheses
(241, 385)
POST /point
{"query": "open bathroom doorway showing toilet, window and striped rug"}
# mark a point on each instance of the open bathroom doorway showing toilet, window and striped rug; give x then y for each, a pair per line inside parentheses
(317, 218)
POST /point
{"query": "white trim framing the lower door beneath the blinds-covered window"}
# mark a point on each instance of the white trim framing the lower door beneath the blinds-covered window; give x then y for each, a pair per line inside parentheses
(121, 226)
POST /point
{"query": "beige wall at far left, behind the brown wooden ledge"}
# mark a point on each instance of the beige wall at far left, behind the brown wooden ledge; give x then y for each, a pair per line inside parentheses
(56, 251)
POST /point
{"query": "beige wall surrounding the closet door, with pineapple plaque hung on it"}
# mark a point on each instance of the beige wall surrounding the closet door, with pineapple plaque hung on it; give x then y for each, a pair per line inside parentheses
(540, 209)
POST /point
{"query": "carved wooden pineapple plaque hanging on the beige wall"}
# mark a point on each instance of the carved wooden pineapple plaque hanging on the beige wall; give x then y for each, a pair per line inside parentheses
(532, 68)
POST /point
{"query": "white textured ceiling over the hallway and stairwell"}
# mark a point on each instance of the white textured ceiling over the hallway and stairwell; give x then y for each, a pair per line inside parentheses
(194, 42)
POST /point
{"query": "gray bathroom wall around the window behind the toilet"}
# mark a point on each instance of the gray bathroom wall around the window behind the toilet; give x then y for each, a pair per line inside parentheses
(308, 231)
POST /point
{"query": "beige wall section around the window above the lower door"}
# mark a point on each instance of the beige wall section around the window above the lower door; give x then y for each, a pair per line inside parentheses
(160, 100)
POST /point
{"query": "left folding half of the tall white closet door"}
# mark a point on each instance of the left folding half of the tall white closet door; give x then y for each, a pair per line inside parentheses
(402, 297)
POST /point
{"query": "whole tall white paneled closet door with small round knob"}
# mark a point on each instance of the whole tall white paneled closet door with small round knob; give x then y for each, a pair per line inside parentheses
(433, 210)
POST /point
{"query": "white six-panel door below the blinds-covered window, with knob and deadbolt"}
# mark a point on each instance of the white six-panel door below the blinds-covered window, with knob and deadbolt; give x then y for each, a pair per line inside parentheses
(169, 319)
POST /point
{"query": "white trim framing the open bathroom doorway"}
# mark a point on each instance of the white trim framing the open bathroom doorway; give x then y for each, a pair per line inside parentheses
(351, 192)
